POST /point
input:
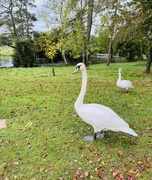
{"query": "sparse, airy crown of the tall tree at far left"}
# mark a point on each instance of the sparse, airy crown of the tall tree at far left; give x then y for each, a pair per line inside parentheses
(16, 18)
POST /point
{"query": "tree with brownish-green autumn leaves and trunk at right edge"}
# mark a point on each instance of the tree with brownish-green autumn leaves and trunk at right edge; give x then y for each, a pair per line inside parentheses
(136, 27)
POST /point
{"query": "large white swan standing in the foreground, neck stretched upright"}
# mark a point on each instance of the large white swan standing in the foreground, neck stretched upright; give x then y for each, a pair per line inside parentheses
(100, 117)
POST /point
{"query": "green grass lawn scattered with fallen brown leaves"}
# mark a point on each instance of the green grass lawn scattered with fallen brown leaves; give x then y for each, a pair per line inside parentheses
(43, 137)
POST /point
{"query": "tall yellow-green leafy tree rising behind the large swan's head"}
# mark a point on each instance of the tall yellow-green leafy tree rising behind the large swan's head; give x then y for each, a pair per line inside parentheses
(74, 18)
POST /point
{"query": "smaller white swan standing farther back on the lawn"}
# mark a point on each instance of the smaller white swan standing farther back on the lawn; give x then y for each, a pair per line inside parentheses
(123, 84)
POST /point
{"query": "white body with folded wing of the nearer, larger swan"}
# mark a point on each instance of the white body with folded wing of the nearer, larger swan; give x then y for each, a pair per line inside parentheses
(101, 117)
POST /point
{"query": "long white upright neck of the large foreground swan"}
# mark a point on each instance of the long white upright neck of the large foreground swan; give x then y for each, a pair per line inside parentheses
(80, 98)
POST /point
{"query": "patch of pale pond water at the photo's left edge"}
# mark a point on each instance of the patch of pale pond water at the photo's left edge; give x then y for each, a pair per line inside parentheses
(6, 61)
